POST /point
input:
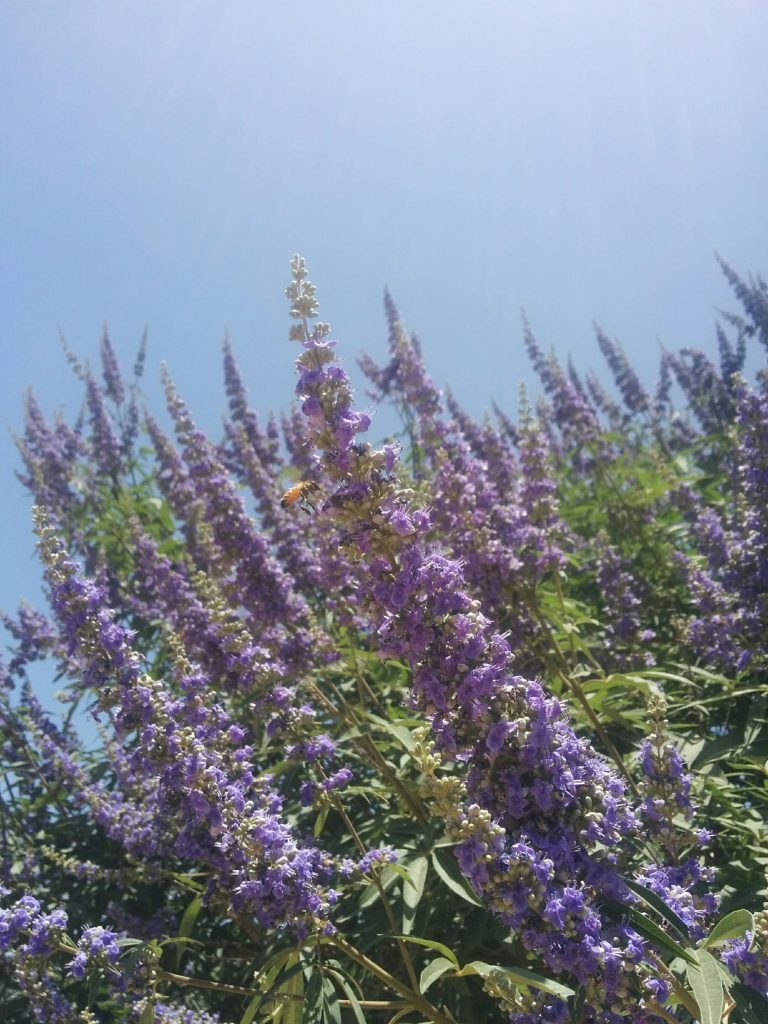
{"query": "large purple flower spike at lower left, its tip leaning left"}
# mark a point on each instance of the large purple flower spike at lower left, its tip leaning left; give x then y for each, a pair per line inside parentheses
(206, 803)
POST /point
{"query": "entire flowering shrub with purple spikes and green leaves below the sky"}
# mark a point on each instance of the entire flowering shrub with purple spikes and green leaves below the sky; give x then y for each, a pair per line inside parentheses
(465, 727)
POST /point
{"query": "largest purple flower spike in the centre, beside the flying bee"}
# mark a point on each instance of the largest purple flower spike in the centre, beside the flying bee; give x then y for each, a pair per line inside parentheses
(538, 805)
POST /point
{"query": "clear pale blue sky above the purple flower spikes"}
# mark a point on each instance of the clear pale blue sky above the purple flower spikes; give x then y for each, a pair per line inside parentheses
(161, 162)
